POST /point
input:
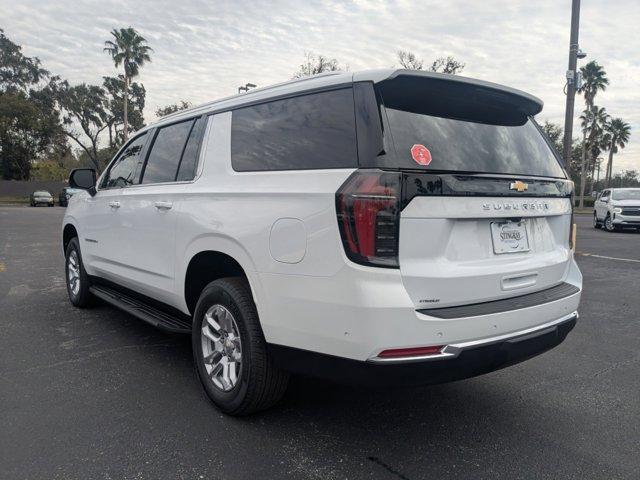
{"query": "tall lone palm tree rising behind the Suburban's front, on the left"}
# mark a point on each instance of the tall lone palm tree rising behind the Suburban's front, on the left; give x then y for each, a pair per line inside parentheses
(129, 49)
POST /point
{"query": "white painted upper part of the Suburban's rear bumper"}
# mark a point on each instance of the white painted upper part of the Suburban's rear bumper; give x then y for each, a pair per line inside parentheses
(358, 313)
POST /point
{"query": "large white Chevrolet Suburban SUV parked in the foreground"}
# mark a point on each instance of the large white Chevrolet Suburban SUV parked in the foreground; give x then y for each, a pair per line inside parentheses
(387, 227)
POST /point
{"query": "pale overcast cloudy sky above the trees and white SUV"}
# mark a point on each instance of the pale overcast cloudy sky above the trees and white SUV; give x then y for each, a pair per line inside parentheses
(206, 49)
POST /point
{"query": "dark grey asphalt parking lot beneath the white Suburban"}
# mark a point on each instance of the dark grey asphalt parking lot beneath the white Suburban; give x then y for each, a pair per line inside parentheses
(97, 394)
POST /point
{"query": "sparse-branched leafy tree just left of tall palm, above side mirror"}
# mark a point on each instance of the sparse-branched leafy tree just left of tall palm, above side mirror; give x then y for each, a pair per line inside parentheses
(84, 106)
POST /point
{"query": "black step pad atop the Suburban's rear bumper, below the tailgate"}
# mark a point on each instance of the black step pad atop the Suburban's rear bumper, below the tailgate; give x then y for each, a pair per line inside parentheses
(514, 303)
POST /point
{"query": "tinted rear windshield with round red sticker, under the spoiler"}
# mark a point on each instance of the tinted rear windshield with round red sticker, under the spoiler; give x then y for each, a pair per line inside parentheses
(468, 137)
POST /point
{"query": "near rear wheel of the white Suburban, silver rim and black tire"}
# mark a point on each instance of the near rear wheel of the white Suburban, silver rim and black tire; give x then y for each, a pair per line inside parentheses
(230, 351)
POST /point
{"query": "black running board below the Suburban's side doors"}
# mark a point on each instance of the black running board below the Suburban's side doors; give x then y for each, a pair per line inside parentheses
(143, 311)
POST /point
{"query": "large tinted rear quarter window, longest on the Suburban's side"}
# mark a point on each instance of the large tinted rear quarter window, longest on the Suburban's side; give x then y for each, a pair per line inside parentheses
(311, 131)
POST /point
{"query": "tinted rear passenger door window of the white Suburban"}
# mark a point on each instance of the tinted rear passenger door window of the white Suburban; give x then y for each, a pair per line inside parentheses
(164, 157)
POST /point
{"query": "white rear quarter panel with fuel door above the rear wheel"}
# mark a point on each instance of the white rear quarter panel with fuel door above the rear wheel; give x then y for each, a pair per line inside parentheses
(235, 213)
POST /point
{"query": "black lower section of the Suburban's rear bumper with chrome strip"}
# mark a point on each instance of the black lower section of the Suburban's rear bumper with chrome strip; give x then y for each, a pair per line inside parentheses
(456, 362)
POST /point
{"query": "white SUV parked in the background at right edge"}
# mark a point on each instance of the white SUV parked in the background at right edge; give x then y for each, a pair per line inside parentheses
(617, 208)
